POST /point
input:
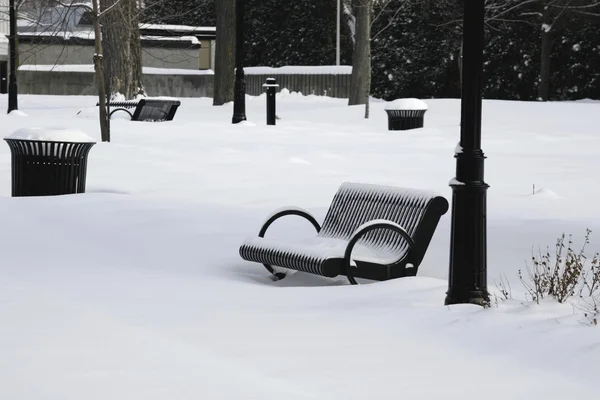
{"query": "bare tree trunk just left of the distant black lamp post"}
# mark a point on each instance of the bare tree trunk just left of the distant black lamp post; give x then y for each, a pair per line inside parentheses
(224, 52)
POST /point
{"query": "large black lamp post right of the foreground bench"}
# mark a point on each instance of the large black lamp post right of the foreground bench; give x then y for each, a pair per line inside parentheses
(468, 253)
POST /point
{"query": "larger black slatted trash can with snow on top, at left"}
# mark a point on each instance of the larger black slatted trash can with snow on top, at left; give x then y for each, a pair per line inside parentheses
(46, 168)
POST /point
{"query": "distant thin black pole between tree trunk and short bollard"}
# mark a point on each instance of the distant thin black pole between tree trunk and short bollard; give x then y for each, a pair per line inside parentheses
(239, 94)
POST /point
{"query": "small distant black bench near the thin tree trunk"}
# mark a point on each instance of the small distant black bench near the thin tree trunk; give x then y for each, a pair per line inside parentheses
(147, 109)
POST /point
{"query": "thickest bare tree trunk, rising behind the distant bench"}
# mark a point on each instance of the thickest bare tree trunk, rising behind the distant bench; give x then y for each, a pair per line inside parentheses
(122, 47)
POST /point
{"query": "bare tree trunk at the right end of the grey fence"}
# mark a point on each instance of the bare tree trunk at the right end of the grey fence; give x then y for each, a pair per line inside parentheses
(360, 81)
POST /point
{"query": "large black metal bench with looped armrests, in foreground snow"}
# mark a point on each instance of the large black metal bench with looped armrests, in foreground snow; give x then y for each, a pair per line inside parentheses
(370, 231)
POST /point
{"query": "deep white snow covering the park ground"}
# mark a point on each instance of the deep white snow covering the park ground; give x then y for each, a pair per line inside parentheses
(135, 290)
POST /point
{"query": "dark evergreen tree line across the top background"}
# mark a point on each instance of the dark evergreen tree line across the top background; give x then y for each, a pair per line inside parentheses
(535, 49)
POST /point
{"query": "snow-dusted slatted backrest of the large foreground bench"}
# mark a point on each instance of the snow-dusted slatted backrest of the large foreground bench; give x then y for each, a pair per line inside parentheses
(417, 211)
